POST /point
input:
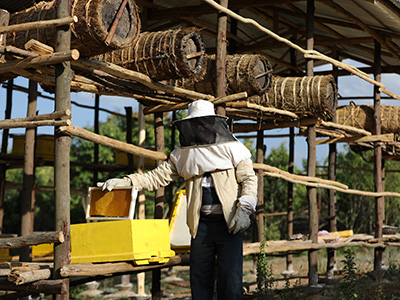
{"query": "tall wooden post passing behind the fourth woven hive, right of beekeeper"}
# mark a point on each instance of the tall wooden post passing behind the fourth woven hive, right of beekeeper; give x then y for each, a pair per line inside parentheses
(311, 161)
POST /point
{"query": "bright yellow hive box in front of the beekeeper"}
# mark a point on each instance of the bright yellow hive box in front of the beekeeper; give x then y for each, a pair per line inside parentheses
(141, 241)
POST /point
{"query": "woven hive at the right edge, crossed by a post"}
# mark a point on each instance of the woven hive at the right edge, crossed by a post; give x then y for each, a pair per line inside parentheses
(362, 116)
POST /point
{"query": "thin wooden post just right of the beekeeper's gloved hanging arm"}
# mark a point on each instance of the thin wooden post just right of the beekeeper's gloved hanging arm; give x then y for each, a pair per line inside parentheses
(260, 189)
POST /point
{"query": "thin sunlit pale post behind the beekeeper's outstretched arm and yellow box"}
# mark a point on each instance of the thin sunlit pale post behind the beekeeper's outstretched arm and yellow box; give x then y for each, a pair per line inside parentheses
(141, 210)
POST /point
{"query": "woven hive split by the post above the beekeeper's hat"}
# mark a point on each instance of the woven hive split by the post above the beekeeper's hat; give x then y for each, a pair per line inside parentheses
(249, 73)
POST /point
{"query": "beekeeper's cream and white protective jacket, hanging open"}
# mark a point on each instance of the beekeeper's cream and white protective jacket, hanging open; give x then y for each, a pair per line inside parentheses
(231, 170)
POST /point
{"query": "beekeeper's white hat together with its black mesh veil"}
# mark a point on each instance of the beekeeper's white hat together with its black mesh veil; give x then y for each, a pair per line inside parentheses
(202, 126)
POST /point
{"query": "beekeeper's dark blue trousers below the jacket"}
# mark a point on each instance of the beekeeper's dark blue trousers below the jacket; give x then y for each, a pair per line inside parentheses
(214, 241)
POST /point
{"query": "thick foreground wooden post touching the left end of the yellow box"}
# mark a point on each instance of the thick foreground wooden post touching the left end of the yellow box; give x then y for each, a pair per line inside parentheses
(62, 147)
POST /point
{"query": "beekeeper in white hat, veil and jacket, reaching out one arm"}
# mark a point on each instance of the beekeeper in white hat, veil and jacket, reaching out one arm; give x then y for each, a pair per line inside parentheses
(221, 189)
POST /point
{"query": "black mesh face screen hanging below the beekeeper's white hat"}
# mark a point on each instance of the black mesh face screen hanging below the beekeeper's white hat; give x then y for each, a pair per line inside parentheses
(204, 131)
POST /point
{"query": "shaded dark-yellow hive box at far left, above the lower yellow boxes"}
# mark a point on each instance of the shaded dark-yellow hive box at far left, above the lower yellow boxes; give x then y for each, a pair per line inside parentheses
(44, 147)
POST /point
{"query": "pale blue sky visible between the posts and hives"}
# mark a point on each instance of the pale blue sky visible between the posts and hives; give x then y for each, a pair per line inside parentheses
(348, 86)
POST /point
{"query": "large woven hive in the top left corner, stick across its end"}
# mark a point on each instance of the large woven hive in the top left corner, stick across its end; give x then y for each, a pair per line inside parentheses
(89, 34)
